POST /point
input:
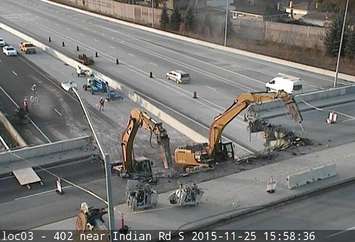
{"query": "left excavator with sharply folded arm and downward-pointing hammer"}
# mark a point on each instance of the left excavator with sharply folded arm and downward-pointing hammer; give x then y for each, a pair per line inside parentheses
(141, 167)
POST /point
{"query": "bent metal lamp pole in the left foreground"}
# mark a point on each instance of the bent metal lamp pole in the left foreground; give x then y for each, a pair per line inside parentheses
(105, 157)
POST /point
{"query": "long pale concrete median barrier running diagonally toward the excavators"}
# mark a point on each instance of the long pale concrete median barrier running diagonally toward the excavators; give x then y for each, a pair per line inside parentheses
(130, 93)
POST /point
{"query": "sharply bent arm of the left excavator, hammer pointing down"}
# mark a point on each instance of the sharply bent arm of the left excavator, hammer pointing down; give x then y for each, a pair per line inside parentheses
(139, 119)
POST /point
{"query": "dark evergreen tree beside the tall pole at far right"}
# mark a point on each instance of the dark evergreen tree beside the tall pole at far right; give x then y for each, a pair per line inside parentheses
(332, 39)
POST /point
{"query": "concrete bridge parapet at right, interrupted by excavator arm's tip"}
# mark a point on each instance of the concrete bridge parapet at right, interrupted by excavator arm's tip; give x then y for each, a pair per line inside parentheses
(327, 97)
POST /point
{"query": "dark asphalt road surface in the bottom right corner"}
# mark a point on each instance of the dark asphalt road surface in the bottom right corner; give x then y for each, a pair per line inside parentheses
(332, 214)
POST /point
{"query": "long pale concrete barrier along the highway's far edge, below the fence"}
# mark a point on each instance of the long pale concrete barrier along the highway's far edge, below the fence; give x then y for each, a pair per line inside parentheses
(209, 44)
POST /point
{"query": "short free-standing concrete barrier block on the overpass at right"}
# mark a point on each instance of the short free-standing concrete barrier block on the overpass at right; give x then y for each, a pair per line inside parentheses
(311, 175)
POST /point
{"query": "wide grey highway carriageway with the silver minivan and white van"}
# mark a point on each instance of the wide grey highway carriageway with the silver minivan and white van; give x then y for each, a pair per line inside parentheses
(217, 76)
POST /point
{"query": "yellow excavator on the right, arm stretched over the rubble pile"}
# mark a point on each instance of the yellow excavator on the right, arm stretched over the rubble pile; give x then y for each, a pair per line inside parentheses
(215, 150)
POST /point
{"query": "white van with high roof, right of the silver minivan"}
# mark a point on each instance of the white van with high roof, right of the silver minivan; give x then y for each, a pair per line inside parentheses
(289, 84)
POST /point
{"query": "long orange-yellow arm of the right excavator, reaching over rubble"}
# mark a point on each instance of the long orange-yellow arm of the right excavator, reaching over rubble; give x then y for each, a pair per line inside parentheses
(240, 104)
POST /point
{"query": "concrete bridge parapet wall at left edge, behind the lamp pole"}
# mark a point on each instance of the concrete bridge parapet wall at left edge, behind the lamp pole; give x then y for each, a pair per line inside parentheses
(46, 154)
